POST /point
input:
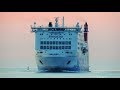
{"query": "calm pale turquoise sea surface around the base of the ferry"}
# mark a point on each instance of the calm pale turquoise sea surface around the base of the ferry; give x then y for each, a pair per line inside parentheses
(33, 73)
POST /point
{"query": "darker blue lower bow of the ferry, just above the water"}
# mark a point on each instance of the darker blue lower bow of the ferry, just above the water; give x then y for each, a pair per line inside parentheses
(59, 64)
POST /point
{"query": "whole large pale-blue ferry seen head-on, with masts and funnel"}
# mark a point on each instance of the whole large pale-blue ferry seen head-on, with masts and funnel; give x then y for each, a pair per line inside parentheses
(61, 48)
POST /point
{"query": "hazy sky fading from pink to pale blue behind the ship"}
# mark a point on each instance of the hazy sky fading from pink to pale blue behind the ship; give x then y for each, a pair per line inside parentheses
(17, 42)
